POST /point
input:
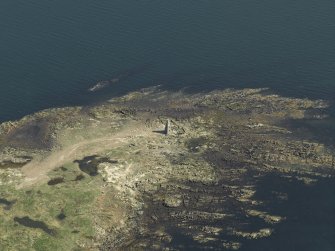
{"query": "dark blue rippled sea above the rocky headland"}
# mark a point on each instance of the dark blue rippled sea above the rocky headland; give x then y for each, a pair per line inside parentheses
(51, 52)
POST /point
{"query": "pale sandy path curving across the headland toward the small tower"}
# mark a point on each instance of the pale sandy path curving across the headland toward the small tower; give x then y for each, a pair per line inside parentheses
(37, 170)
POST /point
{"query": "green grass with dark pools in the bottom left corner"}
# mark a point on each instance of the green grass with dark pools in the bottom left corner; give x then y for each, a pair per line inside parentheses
(43, 203)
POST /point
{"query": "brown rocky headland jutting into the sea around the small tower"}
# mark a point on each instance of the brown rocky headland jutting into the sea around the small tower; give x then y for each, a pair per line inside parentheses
(205, 185)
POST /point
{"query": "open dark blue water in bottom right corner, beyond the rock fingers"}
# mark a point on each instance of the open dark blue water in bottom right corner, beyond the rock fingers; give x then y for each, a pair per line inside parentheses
(310, 212)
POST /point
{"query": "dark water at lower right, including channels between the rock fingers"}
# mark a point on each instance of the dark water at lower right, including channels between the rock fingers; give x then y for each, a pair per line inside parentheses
(308, 212)
